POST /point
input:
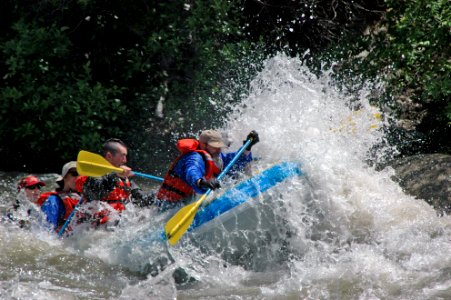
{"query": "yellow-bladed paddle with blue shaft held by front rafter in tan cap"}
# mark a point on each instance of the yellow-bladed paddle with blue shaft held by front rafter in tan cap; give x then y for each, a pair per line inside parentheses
(180, 222)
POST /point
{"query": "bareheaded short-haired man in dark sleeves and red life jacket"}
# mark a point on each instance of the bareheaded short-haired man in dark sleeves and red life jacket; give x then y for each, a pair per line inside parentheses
(115, 189)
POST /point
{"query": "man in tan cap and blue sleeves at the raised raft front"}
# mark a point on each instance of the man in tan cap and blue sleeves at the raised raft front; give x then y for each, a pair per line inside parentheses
(200, 161)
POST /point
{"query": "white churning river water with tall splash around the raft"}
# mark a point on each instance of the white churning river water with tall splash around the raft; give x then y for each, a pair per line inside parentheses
(341, 231)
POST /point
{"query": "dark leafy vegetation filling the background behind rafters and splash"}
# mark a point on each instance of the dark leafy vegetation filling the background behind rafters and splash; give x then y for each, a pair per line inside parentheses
(74, 73)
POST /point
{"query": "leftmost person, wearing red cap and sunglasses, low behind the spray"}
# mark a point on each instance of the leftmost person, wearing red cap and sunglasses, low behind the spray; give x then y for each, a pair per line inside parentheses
(29, 190)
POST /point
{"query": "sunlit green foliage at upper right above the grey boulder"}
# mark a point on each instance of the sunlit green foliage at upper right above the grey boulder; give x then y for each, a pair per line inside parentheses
(408, 51)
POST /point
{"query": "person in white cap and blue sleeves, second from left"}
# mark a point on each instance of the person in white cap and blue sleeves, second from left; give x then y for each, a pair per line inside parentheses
(58, 205)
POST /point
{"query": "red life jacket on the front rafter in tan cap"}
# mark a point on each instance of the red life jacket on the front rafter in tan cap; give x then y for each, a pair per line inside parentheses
(174, 189)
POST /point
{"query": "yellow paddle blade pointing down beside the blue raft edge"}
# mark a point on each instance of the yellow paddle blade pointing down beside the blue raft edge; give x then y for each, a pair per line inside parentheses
(177, 226)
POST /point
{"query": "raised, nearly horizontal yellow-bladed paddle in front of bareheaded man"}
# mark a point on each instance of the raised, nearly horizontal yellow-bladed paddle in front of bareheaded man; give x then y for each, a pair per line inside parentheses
(92, 164)
